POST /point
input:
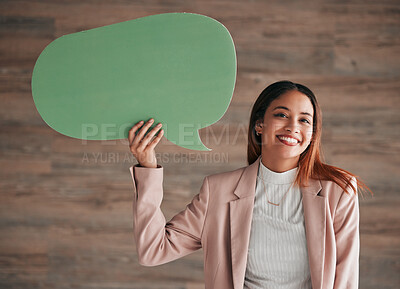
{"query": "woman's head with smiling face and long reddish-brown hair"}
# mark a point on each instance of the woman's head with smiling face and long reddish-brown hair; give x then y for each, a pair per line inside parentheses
(285, 128)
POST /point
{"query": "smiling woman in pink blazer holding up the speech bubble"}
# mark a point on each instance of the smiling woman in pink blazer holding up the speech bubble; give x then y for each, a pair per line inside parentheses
(287, 220)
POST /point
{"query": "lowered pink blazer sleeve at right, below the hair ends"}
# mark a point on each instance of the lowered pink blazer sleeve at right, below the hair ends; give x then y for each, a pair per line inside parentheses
(346, 226)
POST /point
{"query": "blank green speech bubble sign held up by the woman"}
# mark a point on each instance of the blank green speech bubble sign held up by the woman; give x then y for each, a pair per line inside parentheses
(178, 68)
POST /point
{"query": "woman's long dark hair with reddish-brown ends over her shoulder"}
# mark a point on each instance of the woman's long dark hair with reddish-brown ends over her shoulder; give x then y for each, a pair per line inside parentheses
(311, 163)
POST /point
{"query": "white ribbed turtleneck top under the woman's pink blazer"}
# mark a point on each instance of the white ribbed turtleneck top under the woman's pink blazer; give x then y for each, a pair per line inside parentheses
(277, 254)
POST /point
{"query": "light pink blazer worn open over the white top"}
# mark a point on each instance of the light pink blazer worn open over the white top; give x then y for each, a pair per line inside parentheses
(219, 218)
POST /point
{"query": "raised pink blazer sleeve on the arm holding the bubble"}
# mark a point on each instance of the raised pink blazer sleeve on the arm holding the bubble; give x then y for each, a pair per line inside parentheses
(158, 242)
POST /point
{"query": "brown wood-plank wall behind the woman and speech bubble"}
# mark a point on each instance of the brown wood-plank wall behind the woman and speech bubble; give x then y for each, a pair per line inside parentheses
(65, 206)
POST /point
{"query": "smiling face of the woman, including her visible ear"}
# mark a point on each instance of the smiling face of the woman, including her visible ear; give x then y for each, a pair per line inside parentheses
(288, 125)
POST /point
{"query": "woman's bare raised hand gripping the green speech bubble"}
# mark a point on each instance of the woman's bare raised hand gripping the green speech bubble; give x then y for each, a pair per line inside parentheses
(142, 148)
